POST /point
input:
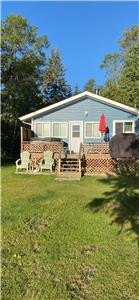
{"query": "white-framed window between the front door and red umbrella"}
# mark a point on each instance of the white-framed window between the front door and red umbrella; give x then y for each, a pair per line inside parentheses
(92, 130)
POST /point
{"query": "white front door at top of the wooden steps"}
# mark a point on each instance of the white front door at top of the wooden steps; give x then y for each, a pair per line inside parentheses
(76, 135)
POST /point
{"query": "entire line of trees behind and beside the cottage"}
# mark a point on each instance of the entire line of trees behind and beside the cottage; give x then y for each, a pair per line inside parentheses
(31, 79)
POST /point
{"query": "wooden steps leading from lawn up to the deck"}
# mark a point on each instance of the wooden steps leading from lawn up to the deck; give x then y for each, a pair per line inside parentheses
(69, 168)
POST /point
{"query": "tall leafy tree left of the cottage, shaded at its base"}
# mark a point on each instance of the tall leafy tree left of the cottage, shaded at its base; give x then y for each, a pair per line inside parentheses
(23, 59)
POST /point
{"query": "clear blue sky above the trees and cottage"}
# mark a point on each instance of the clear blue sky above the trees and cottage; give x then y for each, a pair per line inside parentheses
(82, 31)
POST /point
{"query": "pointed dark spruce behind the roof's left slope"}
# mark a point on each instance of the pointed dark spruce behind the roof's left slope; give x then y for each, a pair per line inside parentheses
(54, 83)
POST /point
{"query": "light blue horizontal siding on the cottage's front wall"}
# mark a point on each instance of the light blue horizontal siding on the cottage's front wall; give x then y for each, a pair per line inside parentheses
(76, 112)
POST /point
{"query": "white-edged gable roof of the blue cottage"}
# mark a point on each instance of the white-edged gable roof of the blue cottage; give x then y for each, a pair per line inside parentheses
(76, 98)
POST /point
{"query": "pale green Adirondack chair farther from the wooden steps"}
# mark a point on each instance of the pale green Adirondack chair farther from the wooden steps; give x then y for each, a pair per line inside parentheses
(23, 163)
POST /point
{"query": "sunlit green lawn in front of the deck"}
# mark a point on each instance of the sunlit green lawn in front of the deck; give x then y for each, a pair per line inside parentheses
(69, 240)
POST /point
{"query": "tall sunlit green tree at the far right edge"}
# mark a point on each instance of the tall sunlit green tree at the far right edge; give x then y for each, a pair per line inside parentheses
(129, 81)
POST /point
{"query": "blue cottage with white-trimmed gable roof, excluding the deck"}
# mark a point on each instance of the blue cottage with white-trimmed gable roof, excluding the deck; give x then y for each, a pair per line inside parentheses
(76, 120)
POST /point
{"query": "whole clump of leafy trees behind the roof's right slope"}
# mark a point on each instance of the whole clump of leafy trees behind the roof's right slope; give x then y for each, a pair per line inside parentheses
(122, 68)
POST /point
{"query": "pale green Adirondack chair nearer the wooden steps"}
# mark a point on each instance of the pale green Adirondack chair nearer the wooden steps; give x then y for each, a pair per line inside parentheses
(47, 162)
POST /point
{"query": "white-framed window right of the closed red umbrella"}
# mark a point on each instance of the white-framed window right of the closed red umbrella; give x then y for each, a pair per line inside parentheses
(123, 127)
